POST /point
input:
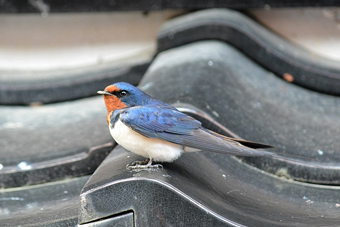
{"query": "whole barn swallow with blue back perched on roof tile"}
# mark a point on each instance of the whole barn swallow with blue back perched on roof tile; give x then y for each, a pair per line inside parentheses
(159, 132)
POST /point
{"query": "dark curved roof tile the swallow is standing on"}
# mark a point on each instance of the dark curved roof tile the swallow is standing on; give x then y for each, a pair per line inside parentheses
(203, 189)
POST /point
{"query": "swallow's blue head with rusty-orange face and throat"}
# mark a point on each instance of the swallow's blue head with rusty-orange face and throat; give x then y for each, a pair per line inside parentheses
(122, 95)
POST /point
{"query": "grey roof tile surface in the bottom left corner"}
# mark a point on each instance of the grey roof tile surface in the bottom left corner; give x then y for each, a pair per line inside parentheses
(53, 204)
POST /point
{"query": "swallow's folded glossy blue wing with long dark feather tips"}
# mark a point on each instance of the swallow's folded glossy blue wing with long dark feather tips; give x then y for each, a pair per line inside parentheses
(176, 127)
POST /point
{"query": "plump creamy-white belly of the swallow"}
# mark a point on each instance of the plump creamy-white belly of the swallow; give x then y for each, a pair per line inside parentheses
(156, 149)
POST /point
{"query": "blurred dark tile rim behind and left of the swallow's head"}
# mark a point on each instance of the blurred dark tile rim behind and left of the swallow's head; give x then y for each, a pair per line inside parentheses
(24, 88)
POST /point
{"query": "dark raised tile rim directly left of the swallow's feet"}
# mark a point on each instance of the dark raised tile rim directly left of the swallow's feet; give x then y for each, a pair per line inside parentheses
(80, 164)
